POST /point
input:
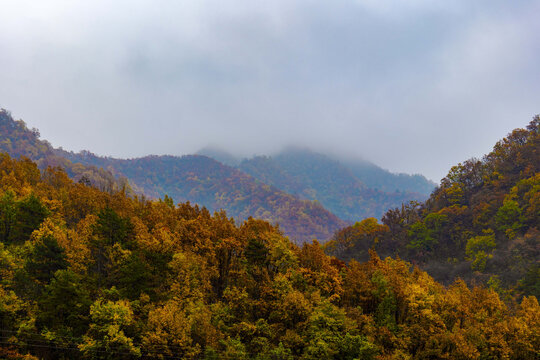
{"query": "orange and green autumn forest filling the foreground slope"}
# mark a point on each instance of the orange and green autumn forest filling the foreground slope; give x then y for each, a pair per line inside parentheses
(87, 274)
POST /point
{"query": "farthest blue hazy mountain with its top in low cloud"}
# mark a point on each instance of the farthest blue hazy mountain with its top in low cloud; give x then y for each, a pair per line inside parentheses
(335, 185)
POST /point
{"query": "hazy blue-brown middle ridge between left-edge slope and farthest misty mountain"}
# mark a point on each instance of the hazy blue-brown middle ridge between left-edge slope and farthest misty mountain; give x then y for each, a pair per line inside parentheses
(216, 186)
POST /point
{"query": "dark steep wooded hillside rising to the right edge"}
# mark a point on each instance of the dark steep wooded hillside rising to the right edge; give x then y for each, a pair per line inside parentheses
(481, 224)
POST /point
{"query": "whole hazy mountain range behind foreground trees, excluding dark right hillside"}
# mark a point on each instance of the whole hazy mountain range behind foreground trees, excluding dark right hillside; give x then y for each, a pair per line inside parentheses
(309, 195)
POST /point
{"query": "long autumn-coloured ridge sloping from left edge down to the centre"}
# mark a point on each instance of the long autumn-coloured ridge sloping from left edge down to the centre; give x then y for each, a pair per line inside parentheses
(194, 178)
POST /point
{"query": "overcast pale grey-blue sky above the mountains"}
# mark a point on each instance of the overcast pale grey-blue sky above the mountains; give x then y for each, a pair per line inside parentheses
(414, 86)
